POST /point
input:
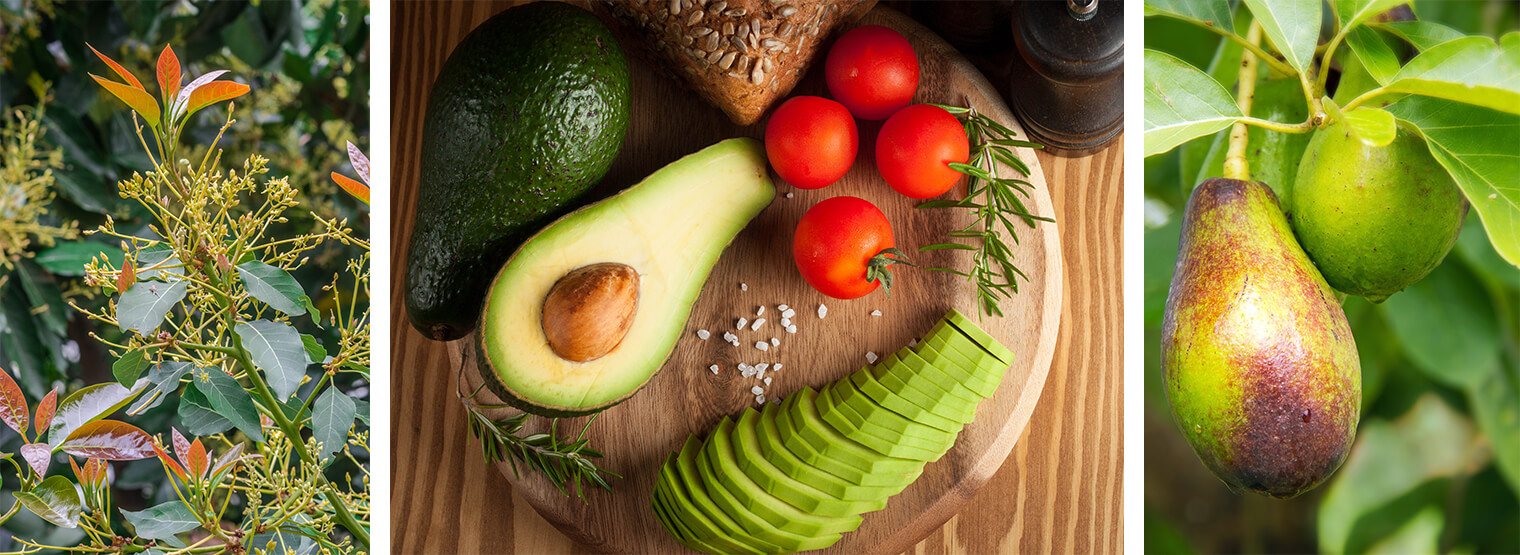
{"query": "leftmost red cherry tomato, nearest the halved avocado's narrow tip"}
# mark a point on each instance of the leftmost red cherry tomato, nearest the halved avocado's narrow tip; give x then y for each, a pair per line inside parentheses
(811, 142)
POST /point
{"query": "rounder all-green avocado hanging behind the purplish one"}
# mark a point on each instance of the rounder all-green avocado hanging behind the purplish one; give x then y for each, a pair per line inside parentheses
(1375, 220)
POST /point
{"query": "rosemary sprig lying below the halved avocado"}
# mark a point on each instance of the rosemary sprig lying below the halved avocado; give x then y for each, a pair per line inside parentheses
(546, 454)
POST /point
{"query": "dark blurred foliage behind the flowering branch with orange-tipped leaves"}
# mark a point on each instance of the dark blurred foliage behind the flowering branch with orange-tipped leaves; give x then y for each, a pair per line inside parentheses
(309, 69)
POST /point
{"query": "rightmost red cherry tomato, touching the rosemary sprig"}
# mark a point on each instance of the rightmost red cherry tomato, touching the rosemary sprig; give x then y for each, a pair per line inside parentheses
(916, 148)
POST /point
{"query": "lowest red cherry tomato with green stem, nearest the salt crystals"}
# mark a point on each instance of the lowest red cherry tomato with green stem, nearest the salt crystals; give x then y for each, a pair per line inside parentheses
(835, 246)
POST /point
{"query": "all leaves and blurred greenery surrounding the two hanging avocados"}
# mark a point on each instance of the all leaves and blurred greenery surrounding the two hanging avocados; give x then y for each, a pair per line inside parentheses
(1437, 460)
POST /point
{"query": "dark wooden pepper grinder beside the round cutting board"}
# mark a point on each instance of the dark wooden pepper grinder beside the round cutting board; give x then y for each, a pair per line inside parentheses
(1068, 80)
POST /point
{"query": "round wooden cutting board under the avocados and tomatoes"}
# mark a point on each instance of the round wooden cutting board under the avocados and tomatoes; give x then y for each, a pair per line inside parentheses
(670, 122)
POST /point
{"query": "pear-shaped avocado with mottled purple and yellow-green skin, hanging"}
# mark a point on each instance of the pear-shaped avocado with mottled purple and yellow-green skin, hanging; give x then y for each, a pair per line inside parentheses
(1258, 358)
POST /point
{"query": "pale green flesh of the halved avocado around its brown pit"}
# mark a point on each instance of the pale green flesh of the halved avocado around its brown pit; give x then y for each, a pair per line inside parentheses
(671, 229)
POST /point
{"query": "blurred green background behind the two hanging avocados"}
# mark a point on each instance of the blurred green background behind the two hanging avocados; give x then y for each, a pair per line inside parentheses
(1437, 460)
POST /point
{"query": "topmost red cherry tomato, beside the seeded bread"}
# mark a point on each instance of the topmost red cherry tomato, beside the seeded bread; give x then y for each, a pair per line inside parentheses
(872, 71)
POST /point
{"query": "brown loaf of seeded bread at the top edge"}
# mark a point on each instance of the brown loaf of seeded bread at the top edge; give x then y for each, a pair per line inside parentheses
(741, 55)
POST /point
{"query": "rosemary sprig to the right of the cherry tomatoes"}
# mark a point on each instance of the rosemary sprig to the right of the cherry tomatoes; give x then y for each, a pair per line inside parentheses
(992, 198)
